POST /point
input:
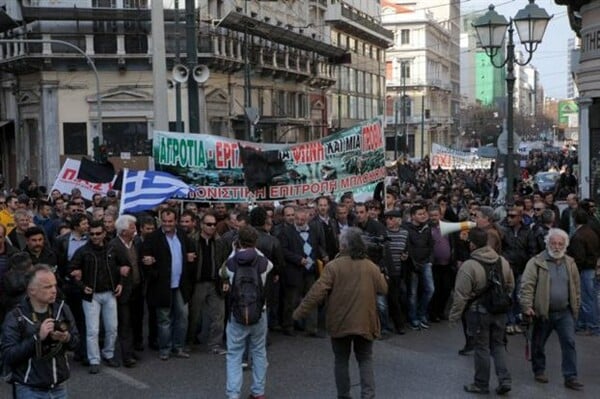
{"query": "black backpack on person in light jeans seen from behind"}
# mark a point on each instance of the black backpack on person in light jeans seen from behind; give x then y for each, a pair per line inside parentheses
(247, 294)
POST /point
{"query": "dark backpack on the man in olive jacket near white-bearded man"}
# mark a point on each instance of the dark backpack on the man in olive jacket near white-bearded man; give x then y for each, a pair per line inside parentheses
(494, 297)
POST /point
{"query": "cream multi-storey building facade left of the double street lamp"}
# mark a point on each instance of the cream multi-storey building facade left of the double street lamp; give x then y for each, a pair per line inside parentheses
(423, 75)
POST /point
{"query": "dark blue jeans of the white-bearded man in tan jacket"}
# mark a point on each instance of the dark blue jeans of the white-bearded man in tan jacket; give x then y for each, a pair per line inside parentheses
(564, 324)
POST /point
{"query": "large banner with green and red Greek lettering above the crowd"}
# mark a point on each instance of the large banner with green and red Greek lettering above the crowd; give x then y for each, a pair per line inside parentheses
(341, 162)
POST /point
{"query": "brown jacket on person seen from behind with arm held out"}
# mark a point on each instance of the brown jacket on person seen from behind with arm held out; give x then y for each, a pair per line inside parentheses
(352, 285)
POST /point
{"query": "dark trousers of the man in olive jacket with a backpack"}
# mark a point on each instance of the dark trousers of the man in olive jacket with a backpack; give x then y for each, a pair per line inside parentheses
(488, 340)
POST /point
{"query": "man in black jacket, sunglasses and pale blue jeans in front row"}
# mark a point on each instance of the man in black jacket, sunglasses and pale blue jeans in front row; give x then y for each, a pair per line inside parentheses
(98, 275)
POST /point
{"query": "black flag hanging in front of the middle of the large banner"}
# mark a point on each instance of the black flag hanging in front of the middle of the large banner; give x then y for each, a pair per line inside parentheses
(260, 167)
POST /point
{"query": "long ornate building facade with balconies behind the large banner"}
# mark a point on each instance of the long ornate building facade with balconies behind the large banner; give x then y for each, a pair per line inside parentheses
(297, 69)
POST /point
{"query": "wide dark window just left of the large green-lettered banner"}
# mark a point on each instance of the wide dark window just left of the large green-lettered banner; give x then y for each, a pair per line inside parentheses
(125, 137)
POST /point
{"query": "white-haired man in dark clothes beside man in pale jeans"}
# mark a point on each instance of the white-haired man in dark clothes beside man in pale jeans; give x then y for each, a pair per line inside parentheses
(125, 254)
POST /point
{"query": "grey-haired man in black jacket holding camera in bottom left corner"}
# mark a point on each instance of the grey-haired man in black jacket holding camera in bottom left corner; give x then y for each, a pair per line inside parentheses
(35, 338)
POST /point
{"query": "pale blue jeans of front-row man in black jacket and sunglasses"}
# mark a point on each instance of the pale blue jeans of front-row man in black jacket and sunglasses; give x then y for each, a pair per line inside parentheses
(105, 304)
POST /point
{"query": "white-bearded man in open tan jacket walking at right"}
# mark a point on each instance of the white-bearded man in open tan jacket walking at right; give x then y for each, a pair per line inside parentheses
(550, 293)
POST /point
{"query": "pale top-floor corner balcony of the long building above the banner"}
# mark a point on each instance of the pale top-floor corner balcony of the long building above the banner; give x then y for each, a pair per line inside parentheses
(351, 21)
